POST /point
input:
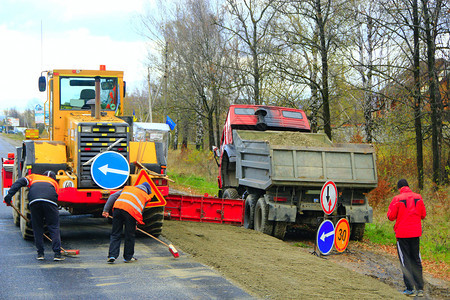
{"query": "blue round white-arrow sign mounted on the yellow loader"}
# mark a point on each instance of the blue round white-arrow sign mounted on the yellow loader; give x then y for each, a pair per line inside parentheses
(110, 170)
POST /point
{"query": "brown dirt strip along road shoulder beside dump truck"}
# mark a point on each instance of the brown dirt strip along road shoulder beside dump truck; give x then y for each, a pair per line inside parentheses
(269, 268)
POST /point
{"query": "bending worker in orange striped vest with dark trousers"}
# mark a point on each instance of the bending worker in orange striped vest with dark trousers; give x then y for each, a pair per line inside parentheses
(128, 205)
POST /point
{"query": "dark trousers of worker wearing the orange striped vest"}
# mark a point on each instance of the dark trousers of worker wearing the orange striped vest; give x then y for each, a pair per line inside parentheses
(122, 218)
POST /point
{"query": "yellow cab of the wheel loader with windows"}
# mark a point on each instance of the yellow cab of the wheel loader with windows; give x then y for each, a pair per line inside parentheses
(68, 94)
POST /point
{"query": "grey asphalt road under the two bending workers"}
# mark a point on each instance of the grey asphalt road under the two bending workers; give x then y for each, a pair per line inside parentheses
(156, 274)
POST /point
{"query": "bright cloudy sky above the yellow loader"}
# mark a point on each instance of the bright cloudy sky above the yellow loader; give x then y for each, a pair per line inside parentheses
(81, 34)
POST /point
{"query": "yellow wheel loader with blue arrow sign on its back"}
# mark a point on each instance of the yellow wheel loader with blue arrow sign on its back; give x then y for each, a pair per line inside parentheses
(89, 144)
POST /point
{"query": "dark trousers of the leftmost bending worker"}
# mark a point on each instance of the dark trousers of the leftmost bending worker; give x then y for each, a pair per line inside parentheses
(43, 212)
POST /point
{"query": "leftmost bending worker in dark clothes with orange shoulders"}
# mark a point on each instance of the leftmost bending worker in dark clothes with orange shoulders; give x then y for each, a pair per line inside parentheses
(43, 198)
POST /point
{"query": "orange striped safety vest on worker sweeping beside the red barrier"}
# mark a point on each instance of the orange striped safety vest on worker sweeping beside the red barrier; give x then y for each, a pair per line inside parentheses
(133, 201)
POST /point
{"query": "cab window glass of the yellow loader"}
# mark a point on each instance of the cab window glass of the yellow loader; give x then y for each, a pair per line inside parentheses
(75, 92)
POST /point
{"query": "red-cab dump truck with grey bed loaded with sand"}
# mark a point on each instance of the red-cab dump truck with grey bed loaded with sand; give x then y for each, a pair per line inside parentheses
(269, 158)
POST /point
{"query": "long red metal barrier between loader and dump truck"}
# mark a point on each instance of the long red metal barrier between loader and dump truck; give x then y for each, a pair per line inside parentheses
(204, 209)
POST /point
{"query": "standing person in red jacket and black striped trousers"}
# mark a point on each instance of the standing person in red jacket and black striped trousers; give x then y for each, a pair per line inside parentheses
(408, 211)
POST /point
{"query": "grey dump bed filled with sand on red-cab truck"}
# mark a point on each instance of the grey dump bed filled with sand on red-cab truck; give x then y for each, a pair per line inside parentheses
(272, 158)
